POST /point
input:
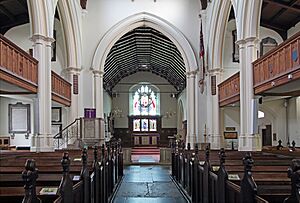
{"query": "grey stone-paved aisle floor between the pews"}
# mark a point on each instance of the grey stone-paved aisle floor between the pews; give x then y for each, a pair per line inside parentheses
(148, 184)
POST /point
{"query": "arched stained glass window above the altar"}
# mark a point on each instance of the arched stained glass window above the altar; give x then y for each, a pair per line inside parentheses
(144, 101)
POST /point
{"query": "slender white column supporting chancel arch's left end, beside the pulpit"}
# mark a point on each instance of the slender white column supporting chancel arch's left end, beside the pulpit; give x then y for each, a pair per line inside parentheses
(98, 84)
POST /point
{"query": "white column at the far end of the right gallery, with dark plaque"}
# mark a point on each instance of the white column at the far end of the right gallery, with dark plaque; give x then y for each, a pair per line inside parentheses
(213, 130)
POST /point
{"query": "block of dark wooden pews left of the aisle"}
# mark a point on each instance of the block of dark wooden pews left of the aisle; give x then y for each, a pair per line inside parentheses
(11, 182)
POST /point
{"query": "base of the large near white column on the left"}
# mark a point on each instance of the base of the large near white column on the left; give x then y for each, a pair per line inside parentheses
(42, 143)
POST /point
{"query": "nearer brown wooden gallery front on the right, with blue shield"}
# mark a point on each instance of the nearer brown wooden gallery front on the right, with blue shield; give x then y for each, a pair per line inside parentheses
(277, 67)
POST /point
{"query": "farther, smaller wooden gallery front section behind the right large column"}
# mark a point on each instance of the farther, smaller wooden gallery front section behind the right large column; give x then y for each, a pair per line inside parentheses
(229, 90)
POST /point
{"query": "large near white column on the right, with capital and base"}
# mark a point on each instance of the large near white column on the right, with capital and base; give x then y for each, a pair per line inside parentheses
(249, 140)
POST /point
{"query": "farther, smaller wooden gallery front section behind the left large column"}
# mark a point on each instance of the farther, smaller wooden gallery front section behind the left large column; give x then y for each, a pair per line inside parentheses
(61, 89)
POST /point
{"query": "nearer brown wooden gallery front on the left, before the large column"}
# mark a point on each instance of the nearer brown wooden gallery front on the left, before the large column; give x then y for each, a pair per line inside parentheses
(17, 66)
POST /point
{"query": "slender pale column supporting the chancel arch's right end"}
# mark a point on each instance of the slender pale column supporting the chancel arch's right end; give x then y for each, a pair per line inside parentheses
(191, 133)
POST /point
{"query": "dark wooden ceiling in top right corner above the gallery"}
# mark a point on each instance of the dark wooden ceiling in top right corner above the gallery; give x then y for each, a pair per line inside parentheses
(280, 15)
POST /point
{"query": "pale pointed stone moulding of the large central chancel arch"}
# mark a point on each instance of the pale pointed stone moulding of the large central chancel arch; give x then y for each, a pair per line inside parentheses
(138, 20)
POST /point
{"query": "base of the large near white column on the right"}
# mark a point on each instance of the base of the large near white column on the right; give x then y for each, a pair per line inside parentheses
(250, 143)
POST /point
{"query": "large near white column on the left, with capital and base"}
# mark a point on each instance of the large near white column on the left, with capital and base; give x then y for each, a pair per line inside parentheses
(43, 140)
